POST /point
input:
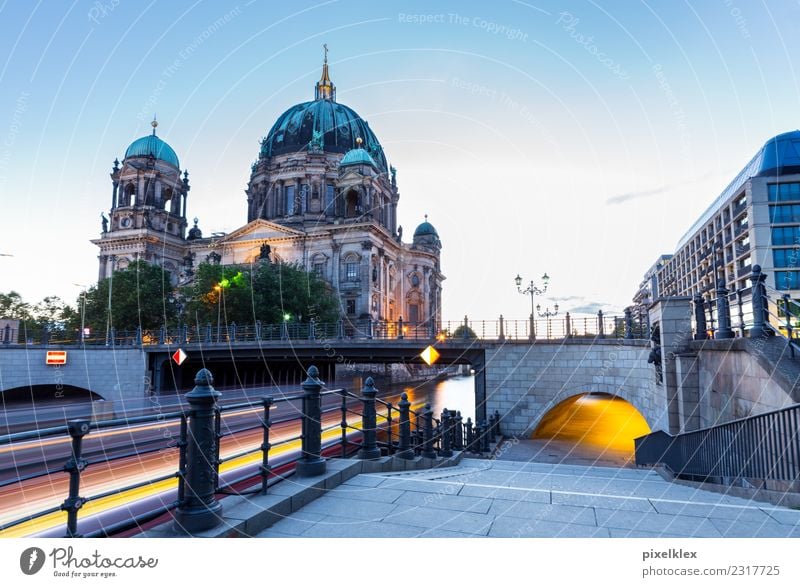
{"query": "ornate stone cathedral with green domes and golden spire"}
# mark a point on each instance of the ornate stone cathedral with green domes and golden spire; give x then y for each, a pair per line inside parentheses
(320, 195)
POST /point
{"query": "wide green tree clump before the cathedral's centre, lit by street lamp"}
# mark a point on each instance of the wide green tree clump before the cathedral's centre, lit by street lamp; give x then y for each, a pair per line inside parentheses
(261, 291)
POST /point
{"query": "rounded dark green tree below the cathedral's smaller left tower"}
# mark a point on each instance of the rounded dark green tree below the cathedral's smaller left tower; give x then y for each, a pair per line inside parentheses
(141, 295)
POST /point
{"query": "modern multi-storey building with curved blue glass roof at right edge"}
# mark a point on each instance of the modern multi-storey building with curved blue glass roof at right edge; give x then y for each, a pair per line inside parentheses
(755, 220)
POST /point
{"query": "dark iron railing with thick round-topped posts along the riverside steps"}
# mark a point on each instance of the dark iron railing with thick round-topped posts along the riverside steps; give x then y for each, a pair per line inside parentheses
(205, 471)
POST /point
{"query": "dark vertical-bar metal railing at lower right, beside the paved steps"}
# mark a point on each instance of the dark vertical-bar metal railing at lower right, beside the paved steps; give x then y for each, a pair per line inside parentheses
(757, 448)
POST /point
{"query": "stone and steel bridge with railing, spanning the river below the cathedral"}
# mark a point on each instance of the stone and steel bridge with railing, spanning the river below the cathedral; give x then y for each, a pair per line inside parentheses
(523, 369)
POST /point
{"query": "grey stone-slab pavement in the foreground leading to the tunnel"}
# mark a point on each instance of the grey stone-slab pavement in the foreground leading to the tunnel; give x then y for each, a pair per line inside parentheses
(484, 498)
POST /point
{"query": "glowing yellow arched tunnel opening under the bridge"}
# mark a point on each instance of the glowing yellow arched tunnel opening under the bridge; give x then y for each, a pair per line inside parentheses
(593, 425)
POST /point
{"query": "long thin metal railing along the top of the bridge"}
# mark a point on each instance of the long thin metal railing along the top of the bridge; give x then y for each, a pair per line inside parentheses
(550, 328)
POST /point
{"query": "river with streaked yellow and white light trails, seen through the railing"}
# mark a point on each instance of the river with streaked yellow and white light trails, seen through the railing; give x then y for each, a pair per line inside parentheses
(147, 451)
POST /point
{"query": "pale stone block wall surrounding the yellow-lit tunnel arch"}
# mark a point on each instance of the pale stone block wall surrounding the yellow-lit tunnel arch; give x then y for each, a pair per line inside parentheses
(524, 381)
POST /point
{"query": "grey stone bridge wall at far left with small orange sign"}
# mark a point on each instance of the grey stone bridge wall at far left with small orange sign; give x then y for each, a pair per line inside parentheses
(113, 374)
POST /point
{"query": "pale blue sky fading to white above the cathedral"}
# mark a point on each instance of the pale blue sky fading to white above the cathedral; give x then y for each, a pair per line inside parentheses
(577, 138)
